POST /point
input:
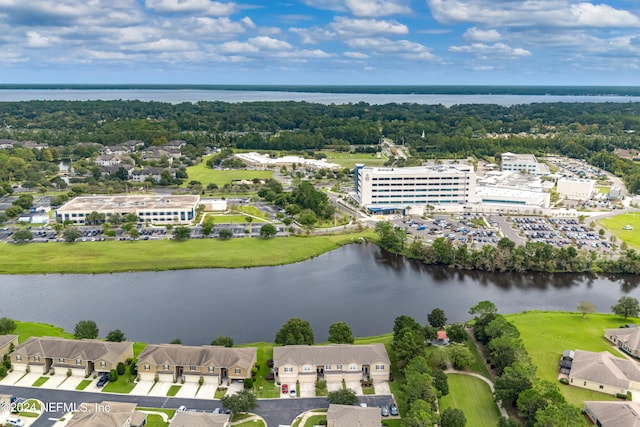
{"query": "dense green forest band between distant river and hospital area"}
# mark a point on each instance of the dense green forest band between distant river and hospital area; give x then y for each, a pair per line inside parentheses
(589, 131)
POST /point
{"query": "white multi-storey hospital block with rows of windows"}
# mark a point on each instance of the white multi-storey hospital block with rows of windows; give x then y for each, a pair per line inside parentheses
(389, 189)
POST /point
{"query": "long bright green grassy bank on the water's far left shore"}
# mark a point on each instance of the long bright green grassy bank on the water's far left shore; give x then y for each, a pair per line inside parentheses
(146, 255)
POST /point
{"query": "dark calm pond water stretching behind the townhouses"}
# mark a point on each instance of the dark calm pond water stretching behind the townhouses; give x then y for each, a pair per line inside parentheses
(360, 284)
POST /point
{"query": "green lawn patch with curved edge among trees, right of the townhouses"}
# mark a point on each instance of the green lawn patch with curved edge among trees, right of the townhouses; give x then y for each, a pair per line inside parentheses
(474, 397)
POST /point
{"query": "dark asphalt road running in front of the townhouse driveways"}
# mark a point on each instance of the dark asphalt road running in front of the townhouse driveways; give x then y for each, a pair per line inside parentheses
(274, 411)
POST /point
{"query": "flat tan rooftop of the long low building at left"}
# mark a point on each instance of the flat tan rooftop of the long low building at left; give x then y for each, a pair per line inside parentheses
(116, 203)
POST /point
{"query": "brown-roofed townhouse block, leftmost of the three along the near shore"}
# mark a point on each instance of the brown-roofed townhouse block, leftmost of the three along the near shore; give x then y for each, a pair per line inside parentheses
(80, 357)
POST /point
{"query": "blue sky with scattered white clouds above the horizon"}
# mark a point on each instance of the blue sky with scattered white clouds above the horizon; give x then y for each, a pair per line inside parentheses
(377, 42)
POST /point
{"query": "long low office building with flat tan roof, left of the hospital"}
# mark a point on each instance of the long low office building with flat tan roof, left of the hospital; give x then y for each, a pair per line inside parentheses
(155, 209)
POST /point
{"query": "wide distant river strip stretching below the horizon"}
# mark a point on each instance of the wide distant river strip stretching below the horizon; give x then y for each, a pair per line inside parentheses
(176, 96)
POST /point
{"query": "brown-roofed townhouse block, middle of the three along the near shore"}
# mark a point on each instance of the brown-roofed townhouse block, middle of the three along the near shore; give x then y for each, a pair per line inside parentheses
(212, 364)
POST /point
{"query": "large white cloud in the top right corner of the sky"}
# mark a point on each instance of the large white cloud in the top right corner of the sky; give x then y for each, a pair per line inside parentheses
(546, 13)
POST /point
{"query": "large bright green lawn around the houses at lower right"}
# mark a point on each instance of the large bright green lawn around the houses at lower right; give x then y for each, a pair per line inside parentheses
(547, 334)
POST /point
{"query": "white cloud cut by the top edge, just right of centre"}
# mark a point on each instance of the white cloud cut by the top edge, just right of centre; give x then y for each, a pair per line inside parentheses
(364, 8)
